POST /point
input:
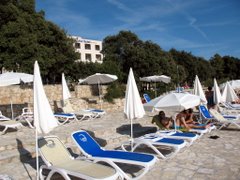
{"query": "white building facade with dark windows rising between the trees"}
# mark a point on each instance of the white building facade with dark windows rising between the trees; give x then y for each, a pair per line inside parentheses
(89, 50)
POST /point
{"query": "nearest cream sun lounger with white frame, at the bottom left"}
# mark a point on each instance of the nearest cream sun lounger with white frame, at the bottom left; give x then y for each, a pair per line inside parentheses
(57, 159)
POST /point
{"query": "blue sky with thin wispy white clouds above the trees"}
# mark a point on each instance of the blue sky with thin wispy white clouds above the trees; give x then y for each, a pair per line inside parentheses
(201, 27)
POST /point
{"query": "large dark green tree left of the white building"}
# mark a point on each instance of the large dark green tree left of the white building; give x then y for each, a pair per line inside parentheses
(25, 36)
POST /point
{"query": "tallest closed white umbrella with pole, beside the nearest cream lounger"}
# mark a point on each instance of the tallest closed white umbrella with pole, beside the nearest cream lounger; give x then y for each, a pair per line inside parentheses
(44, 120)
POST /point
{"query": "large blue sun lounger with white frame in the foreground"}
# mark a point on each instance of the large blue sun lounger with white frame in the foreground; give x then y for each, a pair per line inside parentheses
(91, 149)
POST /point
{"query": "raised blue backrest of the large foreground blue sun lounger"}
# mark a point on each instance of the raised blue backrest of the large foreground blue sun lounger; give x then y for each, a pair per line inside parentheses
(86, 143)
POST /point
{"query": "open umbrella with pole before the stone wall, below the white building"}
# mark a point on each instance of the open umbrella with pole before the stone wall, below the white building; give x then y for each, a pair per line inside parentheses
(99, 79)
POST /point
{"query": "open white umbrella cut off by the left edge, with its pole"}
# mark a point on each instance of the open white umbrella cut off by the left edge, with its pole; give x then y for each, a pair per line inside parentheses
(13, 78)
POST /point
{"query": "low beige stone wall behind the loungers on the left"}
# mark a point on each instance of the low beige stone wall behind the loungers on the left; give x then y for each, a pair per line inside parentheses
(83, 96)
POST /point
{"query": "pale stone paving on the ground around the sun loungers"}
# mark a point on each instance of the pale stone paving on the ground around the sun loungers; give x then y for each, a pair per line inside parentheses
(206, 159)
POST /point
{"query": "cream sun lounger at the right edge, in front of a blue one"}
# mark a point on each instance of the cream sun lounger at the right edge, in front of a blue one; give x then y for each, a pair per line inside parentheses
(225, 122)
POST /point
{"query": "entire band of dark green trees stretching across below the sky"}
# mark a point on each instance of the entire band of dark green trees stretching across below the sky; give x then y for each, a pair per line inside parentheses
(25, 36)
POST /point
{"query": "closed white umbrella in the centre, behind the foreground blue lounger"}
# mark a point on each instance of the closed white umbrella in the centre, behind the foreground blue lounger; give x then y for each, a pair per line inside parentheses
(133, 107)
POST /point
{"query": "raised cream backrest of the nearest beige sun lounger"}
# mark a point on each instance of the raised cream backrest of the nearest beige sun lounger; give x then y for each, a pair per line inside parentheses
(53, 151)
